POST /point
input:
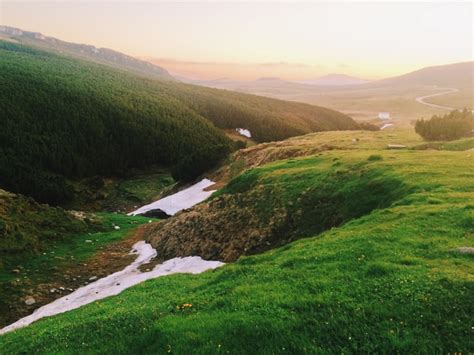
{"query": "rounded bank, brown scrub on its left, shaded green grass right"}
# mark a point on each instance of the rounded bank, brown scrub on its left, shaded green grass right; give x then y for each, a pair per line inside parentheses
(271, 206)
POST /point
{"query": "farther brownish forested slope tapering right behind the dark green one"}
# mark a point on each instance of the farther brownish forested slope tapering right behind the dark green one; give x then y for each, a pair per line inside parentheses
(267, 119)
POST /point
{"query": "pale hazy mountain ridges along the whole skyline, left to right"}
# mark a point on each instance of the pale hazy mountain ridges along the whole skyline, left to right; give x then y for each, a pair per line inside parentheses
(451, 74)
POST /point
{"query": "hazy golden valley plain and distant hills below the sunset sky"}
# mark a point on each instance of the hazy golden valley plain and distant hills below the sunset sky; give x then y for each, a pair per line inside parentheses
(362, 99)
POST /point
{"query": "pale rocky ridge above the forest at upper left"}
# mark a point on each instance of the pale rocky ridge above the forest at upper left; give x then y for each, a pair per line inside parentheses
(85, 51)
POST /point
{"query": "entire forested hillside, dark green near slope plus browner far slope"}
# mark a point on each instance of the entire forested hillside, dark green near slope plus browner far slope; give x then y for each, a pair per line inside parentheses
(65, 118)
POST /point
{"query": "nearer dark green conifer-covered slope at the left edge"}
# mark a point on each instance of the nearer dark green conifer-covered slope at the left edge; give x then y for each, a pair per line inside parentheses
(65, 118)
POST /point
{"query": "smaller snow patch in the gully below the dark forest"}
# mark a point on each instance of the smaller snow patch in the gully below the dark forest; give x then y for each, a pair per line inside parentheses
(186, 198)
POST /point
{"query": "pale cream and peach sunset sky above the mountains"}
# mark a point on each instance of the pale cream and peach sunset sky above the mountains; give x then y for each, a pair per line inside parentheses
(248, 40)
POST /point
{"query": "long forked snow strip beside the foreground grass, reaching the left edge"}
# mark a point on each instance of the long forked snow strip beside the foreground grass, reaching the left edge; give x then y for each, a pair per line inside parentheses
(117, 282)
